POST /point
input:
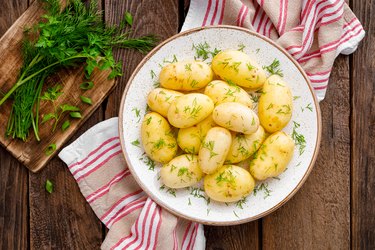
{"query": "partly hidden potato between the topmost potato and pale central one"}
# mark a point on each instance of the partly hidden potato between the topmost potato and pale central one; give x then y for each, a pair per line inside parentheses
(220, 92)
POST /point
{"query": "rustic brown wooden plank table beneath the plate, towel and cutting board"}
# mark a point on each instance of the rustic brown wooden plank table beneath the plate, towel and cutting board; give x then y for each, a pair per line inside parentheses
(335, 208)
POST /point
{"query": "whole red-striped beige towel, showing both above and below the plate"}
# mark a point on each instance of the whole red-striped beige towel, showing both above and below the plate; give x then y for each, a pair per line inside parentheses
(314, 32)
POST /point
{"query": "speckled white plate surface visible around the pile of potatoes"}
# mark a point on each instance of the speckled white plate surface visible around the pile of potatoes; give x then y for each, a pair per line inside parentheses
(191, 203)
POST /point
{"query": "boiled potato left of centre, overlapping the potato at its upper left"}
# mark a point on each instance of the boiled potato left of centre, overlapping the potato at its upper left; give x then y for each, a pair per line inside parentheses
(189, 109)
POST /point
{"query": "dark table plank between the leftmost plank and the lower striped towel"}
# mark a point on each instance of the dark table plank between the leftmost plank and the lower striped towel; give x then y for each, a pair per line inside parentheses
(63, 219)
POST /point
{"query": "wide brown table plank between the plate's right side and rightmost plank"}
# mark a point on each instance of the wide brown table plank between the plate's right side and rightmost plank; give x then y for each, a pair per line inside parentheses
(318, 216)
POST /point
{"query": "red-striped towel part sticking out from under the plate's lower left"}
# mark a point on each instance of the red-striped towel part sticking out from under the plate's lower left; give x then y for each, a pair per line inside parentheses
(134, 220)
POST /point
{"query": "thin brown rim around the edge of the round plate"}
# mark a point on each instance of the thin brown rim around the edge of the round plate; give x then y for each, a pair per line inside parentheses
(163, 204)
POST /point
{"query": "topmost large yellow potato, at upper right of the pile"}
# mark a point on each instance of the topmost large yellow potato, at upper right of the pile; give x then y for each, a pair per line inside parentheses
(237, 67)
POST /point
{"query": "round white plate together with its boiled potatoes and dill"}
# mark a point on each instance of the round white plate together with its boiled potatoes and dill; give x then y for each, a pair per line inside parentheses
(219, 125)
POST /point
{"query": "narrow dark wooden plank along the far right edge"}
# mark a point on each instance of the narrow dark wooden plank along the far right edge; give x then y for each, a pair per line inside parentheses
(363, 131)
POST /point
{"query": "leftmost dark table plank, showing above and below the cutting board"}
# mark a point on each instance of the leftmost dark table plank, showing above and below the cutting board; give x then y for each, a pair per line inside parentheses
(14, 224)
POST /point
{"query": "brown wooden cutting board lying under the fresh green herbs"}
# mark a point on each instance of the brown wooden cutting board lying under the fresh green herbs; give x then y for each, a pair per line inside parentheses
(32, 153)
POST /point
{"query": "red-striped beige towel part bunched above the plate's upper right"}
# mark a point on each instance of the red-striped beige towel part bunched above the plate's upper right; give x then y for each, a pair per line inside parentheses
(314, 32)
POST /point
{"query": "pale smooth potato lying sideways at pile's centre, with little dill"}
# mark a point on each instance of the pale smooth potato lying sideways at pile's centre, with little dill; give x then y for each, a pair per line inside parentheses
(236, 117)
